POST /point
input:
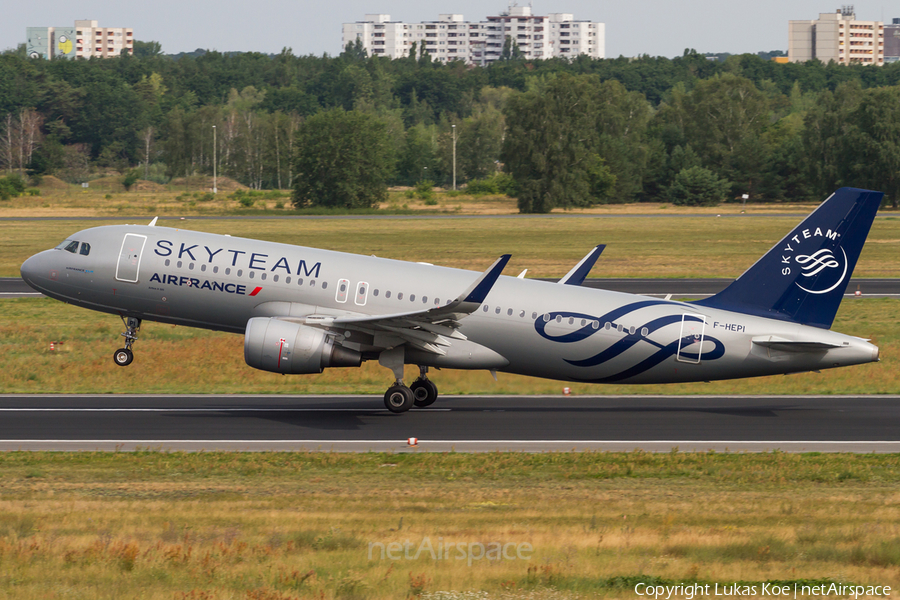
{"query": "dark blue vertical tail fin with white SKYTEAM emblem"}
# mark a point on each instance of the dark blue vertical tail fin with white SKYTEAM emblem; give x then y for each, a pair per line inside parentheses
(804, 276)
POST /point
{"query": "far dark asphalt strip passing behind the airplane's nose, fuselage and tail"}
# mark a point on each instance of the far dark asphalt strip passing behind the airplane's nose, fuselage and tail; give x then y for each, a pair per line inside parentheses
(14, 287)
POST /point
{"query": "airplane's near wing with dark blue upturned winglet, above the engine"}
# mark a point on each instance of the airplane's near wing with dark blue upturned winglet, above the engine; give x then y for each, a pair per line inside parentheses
(429, 330)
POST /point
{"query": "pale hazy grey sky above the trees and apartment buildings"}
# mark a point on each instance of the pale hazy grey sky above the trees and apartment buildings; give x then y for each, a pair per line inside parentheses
(633, 27)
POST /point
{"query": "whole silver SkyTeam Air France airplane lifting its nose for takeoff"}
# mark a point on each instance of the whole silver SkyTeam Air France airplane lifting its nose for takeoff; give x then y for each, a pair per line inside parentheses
(302, 310)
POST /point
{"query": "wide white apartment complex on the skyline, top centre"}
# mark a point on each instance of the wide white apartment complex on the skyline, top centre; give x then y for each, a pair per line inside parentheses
(480, 43)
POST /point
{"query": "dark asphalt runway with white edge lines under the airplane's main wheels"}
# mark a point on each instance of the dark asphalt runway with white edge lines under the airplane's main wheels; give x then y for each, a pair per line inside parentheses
(454, 423)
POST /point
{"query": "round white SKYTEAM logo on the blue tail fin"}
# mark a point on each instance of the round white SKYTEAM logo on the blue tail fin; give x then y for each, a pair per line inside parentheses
(816, 270)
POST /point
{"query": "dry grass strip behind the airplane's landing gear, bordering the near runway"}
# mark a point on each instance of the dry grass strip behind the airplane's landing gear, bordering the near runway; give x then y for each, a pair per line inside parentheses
(173, 359)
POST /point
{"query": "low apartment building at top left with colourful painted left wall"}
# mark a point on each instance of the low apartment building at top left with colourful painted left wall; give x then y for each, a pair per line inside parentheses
(84, 40)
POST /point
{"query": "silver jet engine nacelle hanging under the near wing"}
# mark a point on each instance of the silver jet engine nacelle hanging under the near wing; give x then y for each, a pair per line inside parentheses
(291, 348)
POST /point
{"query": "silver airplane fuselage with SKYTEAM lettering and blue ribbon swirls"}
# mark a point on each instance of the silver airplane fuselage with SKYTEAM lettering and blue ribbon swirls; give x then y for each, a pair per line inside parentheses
(529, 327)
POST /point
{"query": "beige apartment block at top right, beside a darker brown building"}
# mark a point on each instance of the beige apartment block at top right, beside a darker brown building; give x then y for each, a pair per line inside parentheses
(837, 37)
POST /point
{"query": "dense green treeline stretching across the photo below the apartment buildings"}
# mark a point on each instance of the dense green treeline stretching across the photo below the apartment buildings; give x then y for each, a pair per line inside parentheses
(570, 133)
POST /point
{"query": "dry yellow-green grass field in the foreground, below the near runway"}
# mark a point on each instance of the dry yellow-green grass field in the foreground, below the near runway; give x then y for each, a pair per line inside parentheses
(283, 526)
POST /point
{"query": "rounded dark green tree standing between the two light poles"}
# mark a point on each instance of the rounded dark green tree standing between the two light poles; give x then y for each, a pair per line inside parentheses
(344, 159)
